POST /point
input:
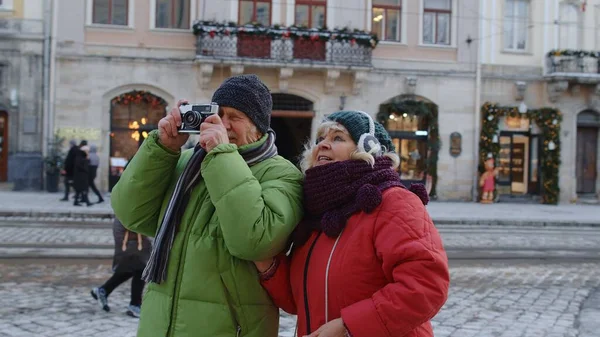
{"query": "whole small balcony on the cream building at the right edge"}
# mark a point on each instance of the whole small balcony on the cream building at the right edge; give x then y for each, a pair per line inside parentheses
(573, 65)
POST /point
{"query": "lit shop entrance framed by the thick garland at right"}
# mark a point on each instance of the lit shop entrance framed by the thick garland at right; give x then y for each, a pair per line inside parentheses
(518, 163)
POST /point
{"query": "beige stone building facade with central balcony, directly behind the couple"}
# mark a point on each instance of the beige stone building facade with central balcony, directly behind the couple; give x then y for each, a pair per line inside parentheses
(120, 64)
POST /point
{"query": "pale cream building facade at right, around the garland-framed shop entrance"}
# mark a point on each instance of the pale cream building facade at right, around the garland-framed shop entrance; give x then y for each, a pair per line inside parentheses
(545, 54)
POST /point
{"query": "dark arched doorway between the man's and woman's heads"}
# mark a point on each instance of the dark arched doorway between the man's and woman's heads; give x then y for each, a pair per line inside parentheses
(291, 120)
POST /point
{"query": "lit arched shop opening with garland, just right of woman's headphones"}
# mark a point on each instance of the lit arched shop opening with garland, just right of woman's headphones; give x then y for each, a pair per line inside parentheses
(412, 122)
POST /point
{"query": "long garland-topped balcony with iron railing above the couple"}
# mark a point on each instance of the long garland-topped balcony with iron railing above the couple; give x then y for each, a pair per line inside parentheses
(283, 46)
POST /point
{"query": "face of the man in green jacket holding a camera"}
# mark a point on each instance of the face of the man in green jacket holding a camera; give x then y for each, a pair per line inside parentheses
(240, 129)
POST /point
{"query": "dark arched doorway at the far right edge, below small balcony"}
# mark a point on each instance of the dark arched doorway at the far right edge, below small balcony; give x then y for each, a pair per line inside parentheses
(588, 126)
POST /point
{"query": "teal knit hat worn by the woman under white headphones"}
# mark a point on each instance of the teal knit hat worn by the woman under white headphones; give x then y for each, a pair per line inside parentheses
(357, 124)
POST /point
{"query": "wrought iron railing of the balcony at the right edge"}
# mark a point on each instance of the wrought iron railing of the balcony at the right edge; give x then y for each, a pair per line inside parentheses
(573, 61)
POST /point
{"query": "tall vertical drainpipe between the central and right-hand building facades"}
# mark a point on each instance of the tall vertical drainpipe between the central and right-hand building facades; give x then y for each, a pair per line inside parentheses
(476, 112)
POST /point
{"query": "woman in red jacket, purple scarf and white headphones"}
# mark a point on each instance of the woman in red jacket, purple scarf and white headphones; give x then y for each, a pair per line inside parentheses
(367, 260)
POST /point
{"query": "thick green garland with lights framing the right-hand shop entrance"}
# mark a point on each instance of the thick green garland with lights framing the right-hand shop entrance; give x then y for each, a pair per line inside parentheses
(548, 120)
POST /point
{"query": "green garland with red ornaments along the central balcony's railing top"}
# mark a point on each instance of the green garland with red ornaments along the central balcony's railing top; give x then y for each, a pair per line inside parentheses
(276, 32)
